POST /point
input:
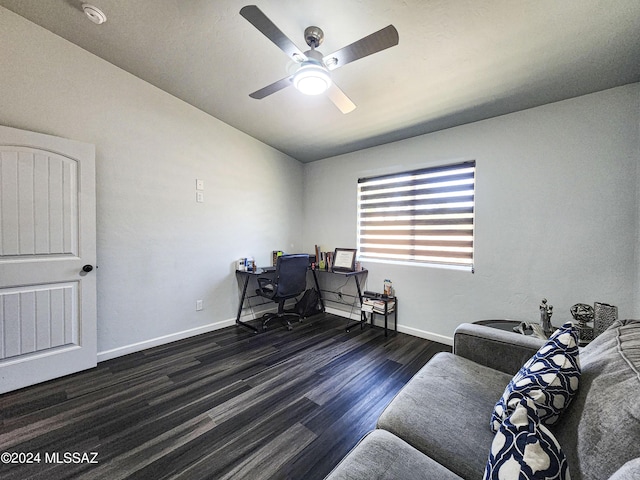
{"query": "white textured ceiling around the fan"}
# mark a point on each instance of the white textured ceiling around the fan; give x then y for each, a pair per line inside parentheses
(457, 61)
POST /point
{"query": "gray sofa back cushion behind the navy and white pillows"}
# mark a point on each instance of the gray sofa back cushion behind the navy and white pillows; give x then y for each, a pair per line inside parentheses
(600, 431)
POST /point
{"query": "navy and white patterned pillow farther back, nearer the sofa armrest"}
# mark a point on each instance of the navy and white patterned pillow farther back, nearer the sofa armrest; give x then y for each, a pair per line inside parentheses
(550, 378)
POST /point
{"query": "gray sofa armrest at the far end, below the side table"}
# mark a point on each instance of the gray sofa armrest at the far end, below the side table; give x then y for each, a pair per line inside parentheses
(498, 349)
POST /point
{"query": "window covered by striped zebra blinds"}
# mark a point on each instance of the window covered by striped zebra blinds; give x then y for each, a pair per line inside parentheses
(419, 217)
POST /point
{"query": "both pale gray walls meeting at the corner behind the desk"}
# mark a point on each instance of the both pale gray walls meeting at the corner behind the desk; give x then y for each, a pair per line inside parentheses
(557, 200)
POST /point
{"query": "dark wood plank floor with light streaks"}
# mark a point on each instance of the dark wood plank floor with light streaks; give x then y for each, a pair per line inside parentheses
(225, 405)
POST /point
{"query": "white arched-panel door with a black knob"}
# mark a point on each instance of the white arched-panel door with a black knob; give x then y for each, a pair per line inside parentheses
(47, 241)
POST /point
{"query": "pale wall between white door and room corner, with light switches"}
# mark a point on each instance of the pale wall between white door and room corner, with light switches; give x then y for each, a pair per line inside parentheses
(158, 250)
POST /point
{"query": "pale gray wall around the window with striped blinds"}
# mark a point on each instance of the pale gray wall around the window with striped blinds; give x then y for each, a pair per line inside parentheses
(556, 213)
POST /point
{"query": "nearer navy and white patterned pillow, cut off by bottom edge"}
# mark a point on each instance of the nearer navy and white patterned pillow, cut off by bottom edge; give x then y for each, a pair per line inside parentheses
(524, 449)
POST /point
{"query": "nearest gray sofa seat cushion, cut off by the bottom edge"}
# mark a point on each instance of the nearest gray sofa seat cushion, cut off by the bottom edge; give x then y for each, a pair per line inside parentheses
(381, 455)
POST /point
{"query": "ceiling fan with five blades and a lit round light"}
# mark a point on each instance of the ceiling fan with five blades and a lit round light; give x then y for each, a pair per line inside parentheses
(312, 73)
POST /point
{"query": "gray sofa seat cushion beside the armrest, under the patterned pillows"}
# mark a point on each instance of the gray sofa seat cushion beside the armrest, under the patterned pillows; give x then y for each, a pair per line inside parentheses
(443, 410)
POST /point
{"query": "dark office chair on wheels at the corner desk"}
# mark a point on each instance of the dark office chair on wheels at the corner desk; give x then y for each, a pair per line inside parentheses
(288, 281)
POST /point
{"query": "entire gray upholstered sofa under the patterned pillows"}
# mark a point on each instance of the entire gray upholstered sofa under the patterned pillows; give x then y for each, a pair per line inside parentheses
(437, 427)
